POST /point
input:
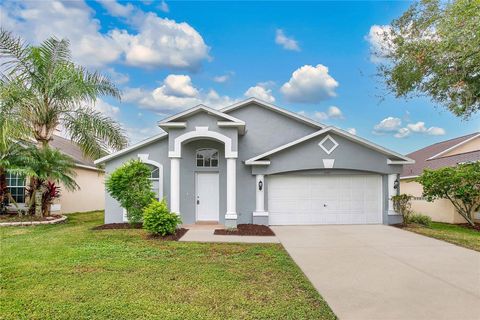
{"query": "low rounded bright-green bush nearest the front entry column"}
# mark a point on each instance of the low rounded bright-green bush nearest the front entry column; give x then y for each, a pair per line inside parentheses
(157, 219)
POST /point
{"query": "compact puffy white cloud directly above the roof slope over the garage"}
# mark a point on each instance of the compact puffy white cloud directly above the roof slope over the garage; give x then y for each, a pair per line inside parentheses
(310, 84)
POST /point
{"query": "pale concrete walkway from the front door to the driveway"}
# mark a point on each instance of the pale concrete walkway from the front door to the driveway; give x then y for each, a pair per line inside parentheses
(206, 235)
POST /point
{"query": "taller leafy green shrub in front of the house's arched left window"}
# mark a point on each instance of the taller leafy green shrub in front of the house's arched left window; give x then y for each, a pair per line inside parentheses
(131, 187)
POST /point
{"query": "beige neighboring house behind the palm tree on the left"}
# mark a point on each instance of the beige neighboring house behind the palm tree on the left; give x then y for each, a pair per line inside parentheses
(90, 196)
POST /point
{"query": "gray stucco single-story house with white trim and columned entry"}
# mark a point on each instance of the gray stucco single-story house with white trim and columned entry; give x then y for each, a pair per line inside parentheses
(253, 162)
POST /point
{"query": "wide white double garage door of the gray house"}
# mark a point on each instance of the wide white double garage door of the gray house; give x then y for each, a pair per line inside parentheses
(340, 199)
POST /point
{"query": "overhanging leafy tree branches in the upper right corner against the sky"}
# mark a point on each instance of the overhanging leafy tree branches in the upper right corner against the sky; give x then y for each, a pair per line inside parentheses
(433, 50)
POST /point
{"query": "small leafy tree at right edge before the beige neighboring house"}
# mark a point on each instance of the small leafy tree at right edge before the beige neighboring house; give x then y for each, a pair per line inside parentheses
(460, 185)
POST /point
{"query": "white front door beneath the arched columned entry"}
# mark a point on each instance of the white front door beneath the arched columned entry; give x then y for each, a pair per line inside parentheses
(207, 196)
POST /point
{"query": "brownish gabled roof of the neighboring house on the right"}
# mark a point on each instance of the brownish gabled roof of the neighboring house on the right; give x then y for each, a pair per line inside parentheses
(431, 156)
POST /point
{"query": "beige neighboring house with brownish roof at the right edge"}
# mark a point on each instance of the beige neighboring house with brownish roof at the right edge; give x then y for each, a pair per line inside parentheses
(443, 154)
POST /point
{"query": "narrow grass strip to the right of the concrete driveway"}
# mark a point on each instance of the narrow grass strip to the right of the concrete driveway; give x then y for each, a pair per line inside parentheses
(459, 235)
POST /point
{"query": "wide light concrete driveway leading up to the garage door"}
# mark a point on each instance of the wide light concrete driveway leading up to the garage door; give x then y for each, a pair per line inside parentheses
(381, 272)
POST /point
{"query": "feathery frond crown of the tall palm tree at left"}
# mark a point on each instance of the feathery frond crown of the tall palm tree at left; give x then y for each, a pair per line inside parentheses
(50, 91)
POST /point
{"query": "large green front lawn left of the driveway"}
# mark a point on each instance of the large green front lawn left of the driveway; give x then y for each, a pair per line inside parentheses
(69, 271)
